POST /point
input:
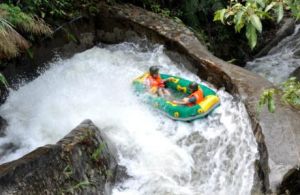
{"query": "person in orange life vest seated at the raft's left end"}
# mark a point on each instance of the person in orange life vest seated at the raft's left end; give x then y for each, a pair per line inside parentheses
(155, 83)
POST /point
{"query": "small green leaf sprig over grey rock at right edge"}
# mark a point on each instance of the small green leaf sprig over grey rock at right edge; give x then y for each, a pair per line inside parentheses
(289, 92)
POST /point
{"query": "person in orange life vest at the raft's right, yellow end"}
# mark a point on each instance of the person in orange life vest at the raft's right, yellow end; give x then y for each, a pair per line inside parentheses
(195, 98)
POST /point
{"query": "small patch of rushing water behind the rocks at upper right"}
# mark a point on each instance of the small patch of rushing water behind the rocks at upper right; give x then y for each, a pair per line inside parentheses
(280, 61)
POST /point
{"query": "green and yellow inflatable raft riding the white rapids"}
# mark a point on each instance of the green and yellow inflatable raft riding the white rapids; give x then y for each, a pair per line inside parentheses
(179, 86)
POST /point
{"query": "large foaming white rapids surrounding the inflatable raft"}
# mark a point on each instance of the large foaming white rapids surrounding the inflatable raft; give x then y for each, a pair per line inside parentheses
(214, 155)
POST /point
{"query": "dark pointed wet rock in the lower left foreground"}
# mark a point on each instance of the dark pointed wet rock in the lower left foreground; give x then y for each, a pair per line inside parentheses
(83, 162)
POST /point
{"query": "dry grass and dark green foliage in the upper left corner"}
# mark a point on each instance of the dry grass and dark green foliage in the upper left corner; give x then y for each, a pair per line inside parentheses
(20, 20)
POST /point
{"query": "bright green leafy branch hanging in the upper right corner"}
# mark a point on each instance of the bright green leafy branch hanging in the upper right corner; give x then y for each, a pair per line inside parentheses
(250, 13)
